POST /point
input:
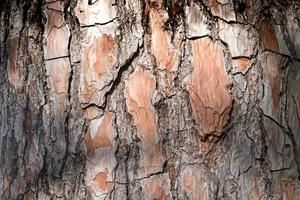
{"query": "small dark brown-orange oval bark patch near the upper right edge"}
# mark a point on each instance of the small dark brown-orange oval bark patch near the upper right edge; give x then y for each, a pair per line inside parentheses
(268, 37)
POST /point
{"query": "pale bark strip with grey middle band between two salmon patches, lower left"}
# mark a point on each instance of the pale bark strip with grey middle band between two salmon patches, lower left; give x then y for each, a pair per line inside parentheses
(101, 160)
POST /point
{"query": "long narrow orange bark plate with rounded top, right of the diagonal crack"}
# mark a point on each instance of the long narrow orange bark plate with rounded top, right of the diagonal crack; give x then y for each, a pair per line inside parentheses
(138, 92)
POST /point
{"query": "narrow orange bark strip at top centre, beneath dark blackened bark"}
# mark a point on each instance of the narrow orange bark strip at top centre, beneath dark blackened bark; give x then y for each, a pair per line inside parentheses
(162, 48)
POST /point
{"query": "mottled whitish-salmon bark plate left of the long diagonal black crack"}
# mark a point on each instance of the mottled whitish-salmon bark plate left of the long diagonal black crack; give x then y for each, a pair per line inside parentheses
(99, 57)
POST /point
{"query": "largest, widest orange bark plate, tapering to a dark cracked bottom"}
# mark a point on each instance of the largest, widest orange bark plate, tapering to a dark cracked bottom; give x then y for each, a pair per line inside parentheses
(208, 86)
